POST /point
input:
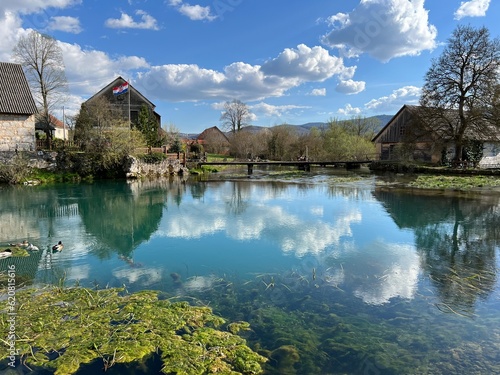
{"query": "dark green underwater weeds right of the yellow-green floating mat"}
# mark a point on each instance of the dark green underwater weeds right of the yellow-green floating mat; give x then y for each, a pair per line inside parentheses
(306, 324)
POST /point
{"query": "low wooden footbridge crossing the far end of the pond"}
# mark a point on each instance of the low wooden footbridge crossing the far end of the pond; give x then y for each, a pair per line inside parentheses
(304, 165)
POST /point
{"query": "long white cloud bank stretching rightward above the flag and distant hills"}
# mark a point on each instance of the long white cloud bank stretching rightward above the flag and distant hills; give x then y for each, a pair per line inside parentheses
(246, 82)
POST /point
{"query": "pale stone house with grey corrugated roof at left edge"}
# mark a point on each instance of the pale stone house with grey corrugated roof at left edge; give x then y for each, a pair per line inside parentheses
(17, 110)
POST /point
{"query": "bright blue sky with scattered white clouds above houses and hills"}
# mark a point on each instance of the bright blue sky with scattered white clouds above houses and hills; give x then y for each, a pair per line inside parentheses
(290, 61)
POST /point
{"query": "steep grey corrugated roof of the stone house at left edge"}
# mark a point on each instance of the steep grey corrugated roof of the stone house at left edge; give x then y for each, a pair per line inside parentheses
(15, 94)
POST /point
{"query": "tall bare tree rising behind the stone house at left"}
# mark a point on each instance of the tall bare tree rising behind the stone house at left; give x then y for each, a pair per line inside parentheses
(42, 60)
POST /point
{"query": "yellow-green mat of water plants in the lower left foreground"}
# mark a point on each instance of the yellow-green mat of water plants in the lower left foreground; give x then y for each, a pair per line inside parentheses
(65, 328)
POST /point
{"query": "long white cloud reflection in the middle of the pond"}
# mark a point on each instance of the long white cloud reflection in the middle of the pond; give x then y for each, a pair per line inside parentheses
(293, 233)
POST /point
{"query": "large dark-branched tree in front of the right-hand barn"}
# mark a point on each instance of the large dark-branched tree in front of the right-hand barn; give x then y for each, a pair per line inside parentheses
(459, 91)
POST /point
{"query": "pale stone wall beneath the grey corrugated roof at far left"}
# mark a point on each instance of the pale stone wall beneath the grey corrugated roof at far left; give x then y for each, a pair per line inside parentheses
(17, 132)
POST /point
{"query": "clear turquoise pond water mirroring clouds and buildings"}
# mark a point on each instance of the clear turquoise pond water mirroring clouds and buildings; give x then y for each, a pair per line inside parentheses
(357, 276)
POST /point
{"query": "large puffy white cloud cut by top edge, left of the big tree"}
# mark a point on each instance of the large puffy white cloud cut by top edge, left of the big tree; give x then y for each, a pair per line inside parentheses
(384, 29)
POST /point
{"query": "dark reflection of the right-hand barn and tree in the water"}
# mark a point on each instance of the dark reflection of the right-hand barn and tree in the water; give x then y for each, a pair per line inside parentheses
(457, 239)
